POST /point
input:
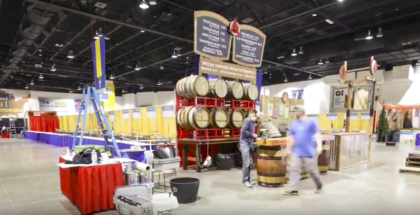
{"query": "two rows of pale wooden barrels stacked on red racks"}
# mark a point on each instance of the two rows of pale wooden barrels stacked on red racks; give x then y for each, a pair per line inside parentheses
(201, 117)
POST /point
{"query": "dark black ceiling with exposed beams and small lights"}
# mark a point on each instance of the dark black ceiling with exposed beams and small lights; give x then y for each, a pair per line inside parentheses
(38, 35)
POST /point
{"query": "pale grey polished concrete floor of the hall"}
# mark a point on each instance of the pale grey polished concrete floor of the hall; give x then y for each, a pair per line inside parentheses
(29, 185)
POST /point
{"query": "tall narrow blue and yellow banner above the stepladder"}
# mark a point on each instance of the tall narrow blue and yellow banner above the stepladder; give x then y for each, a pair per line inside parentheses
(98, 60)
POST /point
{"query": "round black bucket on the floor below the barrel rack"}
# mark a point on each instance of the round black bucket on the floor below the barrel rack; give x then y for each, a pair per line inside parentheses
(185, 189)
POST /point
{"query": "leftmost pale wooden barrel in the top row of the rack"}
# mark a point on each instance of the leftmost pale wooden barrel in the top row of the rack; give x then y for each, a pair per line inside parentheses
(191, 86)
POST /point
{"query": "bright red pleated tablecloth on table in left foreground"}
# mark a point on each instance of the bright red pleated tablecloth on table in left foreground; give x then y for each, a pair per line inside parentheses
(91, 188)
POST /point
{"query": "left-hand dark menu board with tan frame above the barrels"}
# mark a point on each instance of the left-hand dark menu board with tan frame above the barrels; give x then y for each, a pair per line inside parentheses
(211, 36)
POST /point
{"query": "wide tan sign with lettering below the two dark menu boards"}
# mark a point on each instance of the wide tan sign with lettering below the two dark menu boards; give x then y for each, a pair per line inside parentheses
(228, 70)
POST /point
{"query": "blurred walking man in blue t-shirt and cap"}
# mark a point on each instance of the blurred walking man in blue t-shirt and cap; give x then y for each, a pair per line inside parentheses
(303, 151)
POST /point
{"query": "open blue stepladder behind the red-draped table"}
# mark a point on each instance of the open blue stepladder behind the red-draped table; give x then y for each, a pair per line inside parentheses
(90, 94)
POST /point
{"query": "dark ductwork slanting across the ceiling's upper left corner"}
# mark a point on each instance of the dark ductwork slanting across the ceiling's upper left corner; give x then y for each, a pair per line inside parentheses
(37, 16)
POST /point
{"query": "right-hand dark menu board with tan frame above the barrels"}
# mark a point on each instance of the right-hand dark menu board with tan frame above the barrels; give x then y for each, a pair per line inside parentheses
(248, 46)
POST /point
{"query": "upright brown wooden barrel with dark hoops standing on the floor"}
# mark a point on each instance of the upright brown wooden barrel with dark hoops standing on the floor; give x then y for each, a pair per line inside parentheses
(271, 165)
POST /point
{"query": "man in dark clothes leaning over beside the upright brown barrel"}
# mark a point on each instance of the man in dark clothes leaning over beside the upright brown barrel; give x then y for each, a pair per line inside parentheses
(247, 137)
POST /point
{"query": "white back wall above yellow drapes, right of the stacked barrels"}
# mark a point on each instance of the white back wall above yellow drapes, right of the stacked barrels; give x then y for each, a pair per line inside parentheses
(399, 86)
